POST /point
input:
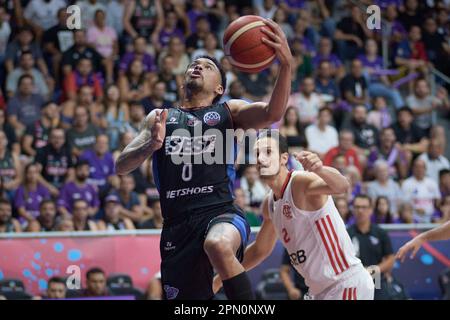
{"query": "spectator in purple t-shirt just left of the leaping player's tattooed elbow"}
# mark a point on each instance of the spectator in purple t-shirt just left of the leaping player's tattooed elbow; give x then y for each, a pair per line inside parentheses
(101, 164)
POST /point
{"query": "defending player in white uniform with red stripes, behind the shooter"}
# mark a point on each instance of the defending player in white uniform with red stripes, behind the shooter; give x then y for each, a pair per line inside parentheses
(300, 211)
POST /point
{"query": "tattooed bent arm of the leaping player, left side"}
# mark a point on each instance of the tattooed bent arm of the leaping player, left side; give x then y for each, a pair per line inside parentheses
(149, 139)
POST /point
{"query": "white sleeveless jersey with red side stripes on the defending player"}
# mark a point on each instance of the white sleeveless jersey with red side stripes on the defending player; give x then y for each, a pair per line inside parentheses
(318, 244)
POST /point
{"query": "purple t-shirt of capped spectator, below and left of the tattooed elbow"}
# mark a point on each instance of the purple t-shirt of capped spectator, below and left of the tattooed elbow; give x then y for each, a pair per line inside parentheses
(71, 192)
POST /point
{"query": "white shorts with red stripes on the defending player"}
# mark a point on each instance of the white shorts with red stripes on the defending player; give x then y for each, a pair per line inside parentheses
(358, 285)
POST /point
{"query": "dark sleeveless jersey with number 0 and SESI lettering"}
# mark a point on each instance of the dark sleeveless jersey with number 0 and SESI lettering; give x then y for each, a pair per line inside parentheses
(194, 169)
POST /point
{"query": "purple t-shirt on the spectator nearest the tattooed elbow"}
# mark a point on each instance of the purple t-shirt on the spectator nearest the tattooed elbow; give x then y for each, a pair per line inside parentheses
(100, 168)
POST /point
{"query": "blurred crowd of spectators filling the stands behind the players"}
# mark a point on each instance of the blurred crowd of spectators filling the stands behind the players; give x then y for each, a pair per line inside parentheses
(70, 100)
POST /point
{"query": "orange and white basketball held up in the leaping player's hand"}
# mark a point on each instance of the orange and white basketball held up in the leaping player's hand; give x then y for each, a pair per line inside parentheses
(243, 46)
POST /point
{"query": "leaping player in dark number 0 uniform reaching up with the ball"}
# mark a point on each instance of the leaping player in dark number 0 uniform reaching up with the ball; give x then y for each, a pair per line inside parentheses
(202, 228)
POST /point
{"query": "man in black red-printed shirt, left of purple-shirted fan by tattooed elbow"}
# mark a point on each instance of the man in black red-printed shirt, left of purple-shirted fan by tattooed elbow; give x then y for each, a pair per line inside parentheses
(55, 161)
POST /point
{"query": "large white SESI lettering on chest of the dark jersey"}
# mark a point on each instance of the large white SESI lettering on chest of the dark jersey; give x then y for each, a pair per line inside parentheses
(186, 146)
